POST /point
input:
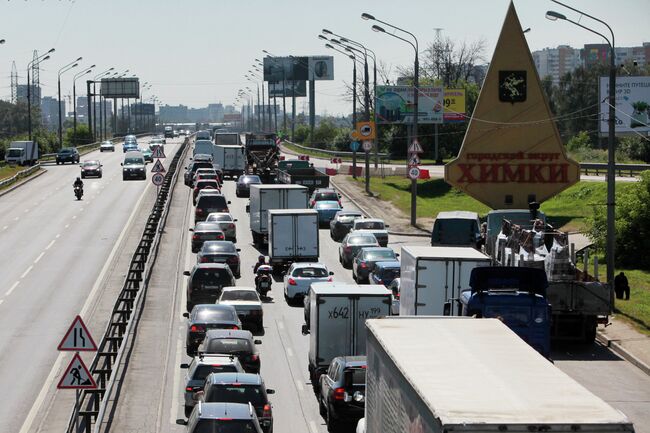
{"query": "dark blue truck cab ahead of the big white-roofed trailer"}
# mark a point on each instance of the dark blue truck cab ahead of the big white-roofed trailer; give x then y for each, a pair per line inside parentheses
(516, 296)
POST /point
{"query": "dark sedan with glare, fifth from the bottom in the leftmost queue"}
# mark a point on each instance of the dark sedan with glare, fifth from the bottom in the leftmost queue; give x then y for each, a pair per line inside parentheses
(208, 316)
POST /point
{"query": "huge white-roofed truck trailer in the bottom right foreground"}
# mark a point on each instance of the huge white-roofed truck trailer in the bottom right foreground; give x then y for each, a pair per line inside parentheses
(481, 378)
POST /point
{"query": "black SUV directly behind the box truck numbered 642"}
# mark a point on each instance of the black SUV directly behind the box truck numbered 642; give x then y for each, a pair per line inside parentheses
(342, 391)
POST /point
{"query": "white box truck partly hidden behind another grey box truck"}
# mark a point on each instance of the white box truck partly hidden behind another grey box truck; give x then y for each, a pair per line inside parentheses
(264, 198)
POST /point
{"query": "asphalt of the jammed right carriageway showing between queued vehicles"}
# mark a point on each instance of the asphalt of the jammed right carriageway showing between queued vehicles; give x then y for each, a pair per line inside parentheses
(151, 396)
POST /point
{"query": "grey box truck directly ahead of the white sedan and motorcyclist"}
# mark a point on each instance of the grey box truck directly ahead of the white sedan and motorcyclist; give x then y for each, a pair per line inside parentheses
(293, 237)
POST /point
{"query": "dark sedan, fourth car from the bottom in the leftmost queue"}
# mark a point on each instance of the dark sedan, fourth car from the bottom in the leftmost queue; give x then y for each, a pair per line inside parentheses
(231, 342)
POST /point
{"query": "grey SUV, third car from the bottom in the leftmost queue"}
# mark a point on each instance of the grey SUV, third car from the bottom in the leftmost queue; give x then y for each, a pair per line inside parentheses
(198, 370)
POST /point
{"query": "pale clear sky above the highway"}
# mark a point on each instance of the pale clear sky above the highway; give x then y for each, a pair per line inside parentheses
(195, 52)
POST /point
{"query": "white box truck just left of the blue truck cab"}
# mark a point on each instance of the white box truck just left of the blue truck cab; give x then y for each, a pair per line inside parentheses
(431, 278)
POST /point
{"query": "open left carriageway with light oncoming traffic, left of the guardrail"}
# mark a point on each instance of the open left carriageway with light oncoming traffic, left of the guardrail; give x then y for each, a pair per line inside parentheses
(54, 250)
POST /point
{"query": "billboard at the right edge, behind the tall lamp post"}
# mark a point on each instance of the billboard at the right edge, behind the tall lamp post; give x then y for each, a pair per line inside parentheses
(632, 105)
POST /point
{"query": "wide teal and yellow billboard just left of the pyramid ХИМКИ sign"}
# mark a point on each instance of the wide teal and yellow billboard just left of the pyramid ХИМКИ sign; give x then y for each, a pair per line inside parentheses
(395, 104)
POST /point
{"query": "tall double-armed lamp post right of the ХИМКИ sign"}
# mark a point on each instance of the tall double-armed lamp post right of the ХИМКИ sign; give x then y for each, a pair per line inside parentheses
(611, 137)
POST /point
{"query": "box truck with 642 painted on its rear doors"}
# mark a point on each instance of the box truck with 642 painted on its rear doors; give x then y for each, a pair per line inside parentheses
(337, 312)
